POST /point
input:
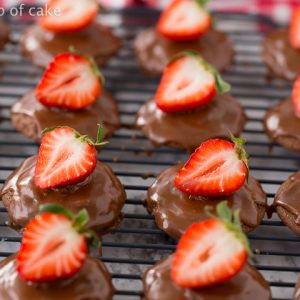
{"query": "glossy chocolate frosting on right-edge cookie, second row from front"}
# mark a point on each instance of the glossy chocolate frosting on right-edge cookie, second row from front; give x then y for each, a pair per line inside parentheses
(287, 197)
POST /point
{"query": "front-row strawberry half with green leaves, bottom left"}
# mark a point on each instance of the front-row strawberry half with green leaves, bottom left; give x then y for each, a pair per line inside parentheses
(54, 245)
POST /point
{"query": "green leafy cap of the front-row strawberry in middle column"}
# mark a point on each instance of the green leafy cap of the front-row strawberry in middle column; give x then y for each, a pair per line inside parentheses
(231, 221)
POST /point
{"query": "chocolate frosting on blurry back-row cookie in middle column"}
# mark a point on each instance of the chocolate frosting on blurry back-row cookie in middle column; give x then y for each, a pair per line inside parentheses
(155, 51)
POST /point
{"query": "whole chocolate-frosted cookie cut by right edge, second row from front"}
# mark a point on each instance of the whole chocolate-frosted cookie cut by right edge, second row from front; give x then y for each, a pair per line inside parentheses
(286, 202)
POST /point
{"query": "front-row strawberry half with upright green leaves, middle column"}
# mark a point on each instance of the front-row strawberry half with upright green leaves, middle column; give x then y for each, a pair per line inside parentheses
(210, 252)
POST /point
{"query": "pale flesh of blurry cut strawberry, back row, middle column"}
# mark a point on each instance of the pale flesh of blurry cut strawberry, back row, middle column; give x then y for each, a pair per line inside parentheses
(187, 15)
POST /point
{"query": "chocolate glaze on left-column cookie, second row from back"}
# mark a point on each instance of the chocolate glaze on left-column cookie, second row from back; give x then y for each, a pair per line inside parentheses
(104, 111)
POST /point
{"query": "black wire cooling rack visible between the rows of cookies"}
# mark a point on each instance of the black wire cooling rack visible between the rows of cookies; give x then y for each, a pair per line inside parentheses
(137, 243)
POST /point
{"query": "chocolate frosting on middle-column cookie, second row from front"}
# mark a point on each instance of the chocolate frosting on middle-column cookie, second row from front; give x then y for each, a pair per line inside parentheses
(175, 211)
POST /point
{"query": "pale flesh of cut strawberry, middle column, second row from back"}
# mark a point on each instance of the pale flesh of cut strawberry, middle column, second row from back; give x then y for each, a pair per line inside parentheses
(191, 79)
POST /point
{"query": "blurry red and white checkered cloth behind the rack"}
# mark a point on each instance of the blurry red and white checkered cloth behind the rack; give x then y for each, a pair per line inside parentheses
(279, 10)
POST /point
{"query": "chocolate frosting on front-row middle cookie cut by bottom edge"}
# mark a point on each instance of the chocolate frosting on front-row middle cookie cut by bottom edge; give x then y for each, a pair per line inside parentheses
(247, 285)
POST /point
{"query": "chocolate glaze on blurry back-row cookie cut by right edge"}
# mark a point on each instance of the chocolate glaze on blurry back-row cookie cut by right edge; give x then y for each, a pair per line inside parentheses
(282, 59)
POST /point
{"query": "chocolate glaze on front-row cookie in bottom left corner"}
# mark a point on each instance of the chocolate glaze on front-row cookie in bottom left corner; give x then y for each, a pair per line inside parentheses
(92, 282)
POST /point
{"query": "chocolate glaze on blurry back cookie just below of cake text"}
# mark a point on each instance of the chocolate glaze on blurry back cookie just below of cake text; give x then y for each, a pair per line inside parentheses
(96, 40)
